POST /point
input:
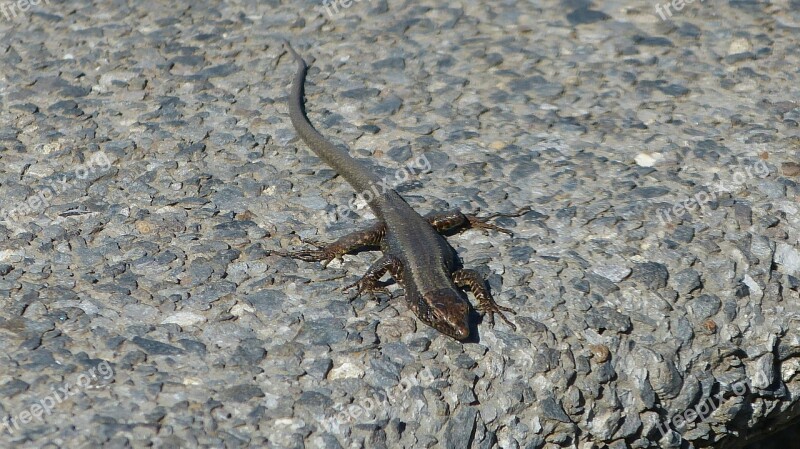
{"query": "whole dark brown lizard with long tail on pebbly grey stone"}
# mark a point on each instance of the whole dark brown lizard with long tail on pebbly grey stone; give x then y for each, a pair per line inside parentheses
(415, 254)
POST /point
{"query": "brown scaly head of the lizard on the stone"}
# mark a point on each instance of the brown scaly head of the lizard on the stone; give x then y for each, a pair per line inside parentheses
(447, 312)
